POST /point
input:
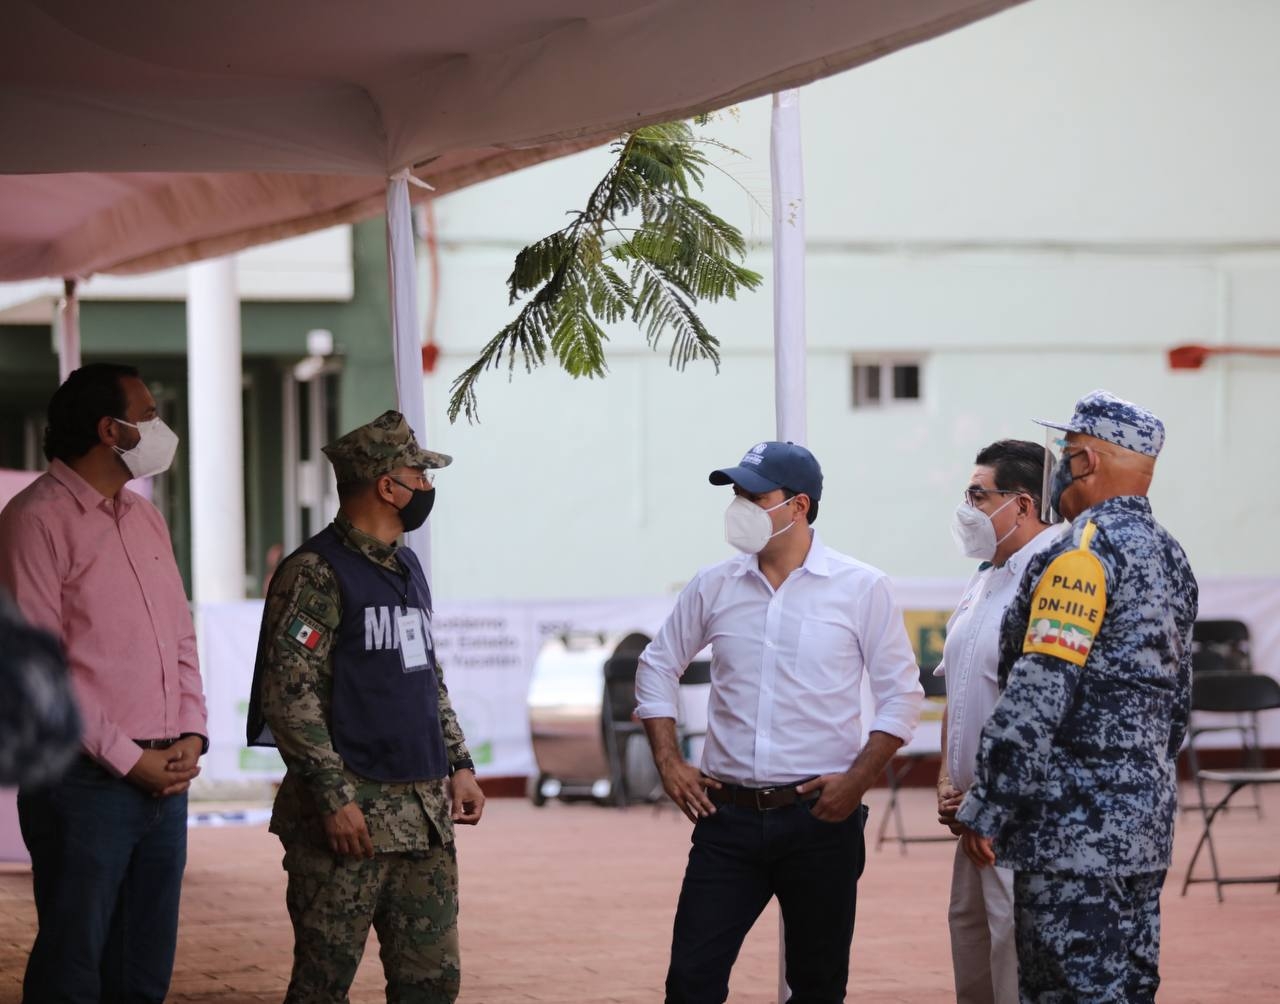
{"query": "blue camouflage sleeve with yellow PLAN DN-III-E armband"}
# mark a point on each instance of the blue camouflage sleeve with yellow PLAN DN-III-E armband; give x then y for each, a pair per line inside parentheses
(1017, 742)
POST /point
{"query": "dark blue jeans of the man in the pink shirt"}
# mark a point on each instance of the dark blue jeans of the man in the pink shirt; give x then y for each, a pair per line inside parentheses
(107, 864)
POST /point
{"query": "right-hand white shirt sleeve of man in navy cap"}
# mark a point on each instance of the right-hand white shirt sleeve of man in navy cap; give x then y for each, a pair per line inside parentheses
(892, 668)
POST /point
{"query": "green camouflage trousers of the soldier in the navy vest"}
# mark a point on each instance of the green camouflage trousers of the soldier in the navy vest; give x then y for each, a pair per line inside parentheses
(412, 900)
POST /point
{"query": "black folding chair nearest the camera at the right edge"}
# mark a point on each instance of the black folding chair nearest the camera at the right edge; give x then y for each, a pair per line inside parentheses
(1231, 692)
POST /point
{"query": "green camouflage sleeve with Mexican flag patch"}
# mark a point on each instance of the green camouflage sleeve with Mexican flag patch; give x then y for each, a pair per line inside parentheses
(304, 609)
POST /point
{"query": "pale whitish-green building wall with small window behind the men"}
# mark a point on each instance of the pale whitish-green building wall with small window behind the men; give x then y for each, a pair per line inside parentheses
(1037, 206)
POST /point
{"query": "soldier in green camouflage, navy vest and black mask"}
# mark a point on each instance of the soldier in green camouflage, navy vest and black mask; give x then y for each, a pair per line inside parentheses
(348, 683)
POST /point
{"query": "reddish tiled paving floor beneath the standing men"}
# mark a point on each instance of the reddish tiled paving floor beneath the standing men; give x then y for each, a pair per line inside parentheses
(573, 905)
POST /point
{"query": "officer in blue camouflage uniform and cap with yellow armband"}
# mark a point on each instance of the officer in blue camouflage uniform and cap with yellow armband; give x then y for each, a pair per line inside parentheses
(1077, 784)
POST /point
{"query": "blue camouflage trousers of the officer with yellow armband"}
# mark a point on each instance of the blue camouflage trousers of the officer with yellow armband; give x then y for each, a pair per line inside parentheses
(1086, 939)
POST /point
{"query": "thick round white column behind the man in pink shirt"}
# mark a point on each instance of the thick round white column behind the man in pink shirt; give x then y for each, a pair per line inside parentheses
(216, 445)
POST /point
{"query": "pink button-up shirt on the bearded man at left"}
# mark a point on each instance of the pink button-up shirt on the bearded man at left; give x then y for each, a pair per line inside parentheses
(100, 574)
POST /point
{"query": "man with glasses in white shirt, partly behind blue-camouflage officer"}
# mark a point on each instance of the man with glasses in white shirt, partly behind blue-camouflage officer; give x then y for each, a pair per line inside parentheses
(999, 523)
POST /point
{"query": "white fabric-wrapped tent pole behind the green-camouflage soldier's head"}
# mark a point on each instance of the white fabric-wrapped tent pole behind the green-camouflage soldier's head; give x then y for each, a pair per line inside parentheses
(406, 332)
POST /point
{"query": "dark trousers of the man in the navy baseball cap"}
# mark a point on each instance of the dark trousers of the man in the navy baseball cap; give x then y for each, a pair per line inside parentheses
(742, 859)
